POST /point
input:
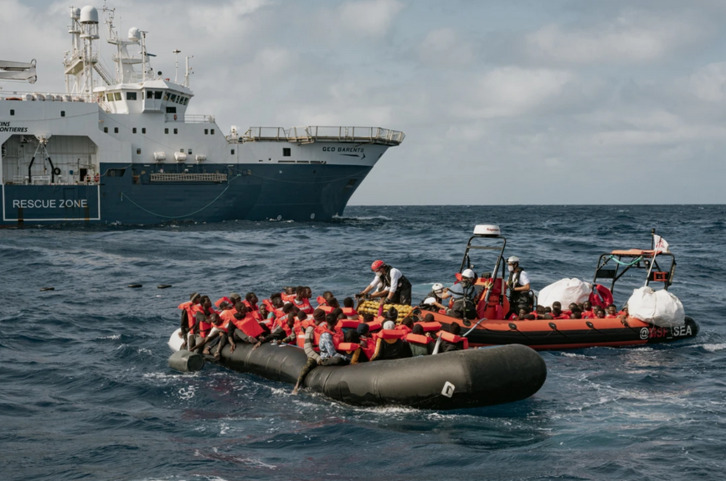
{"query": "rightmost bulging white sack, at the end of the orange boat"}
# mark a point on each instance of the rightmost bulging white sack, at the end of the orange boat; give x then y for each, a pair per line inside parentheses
(660, 308)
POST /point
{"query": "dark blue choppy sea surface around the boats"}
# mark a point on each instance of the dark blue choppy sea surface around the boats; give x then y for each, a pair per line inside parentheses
(87, 392)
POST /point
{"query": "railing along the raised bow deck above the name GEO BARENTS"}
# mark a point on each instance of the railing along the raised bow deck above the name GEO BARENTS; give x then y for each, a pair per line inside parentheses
(309, 134)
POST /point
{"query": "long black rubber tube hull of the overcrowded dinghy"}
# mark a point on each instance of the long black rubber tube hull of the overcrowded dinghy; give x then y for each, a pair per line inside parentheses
(451, 380)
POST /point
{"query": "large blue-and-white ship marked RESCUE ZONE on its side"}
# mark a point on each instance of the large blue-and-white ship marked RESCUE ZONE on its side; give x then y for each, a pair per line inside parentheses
(121, 148)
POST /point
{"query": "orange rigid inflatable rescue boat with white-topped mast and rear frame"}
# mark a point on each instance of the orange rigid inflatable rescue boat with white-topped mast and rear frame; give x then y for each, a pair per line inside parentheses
(491, 326)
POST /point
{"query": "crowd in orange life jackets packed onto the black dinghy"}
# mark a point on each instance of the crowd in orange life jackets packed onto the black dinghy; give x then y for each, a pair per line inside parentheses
(329, 333)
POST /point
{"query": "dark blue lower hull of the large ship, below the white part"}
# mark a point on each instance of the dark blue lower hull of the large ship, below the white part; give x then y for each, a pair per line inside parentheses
(243, 192)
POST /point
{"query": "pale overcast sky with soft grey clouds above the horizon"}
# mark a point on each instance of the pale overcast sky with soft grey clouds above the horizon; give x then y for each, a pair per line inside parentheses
(502, 101)
